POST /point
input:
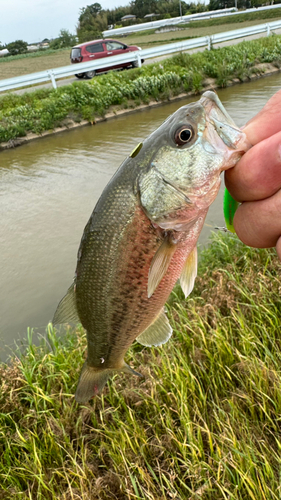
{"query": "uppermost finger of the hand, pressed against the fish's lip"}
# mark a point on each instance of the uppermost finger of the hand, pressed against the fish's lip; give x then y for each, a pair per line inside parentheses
(266, 122)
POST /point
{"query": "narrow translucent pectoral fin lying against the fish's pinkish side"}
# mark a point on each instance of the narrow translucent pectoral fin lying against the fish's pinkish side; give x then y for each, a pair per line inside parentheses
(159, 265)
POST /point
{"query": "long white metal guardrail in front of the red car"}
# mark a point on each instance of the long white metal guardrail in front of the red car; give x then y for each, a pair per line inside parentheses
(72, 69)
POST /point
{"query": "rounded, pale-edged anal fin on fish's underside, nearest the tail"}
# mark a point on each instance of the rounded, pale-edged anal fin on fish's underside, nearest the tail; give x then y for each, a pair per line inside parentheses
(157, 333)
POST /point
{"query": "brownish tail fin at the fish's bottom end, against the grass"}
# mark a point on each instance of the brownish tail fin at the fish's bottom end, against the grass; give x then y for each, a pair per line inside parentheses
(91, 382)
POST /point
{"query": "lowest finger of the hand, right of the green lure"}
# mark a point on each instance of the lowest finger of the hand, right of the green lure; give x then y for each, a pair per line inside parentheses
(258, 223)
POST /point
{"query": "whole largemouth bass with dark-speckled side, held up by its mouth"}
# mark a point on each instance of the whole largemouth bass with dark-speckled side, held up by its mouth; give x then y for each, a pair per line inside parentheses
(141, 237)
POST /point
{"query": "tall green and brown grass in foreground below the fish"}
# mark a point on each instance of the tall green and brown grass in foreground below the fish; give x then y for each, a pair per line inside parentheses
(203, 424)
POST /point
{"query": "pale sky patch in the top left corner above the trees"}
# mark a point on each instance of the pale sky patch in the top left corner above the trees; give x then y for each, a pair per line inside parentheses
(34, 20)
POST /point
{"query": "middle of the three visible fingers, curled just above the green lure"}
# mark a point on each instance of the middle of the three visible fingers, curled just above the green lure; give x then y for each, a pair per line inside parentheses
(258, 174)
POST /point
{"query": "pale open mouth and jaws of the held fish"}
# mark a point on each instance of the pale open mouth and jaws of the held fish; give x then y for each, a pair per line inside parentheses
(221, 133)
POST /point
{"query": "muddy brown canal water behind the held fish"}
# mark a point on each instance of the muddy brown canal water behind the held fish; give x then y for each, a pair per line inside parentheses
(48, 189)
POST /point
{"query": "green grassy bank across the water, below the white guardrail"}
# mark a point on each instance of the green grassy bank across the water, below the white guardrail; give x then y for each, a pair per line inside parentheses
(45, 109)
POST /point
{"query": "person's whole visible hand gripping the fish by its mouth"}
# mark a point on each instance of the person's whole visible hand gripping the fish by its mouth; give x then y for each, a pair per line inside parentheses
(256, 180)
